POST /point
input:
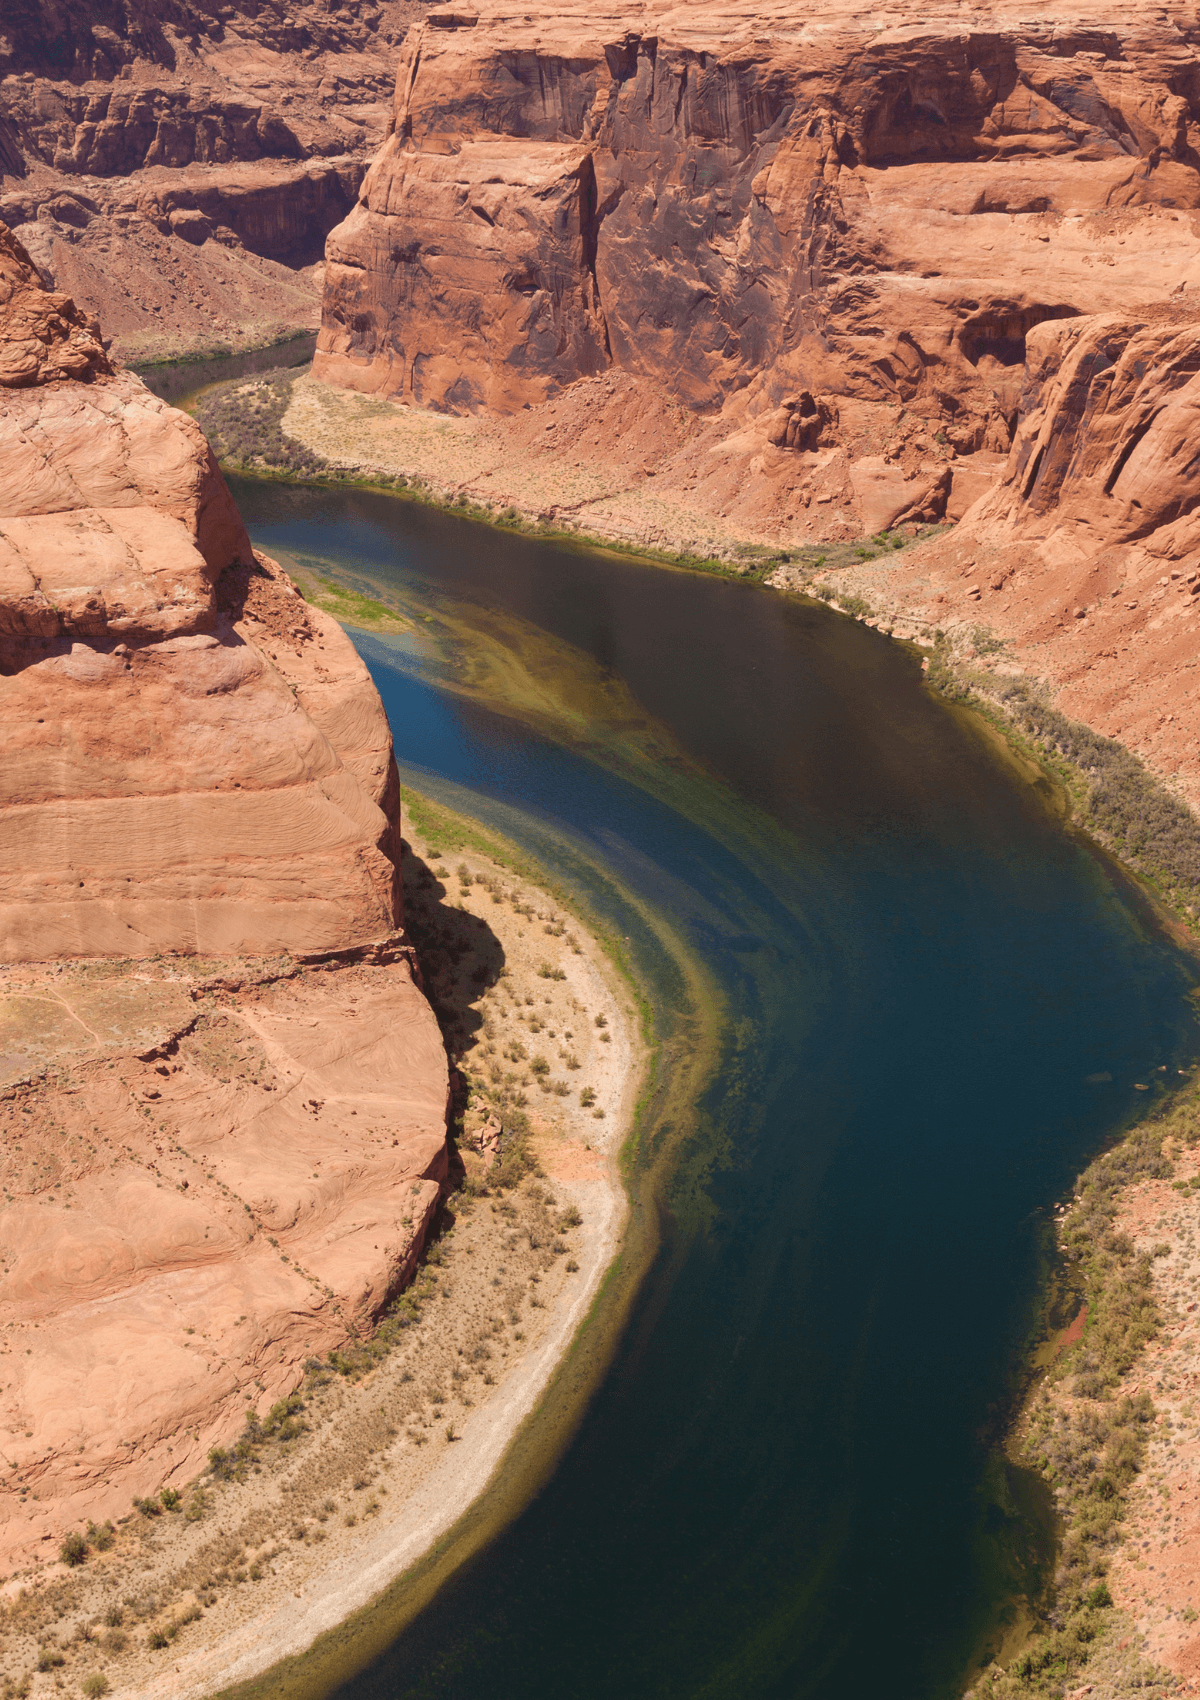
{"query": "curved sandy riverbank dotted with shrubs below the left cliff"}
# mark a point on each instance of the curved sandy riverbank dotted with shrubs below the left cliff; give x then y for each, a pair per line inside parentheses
(329, 1495)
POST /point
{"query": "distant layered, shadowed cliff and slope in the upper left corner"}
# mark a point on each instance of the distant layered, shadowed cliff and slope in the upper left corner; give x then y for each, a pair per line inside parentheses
(133, 135)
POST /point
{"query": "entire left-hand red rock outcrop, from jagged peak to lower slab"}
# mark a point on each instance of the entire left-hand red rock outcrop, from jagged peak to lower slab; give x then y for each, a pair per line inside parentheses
(222, 1092)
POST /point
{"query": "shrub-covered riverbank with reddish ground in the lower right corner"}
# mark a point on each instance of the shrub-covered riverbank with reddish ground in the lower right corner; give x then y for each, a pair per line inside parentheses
(1112, 1425)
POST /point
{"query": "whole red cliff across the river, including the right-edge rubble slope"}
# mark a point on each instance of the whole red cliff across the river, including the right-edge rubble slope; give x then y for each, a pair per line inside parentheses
(900, 268)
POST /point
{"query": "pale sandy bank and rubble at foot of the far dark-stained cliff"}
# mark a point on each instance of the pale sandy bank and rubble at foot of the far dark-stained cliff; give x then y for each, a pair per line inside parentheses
(654, 480)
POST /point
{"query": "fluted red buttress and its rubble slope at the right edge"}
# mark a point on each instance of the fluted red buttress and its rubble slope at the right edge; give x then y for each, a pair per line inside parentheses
(1085, 555)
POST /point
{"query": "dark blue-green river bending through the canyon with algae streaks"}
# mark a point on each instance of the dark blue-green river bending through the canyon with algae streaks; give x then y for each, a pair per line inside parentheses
(788, 1482)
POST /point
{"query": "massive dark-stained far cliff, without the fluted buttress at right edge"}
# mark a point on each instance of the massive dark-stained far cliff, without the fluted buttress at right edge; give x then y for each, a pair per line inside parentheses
(752, 205)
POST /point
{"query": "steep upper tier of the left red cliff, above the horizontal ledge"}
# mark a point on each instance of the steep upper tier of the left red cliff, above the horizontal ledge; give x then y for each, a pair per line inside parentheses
(190, 766)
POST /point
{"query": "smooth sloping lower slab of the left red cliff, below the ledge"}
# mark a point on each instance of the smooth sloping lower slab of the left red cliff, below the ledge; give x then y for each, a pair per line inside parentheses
(224, 1179)
